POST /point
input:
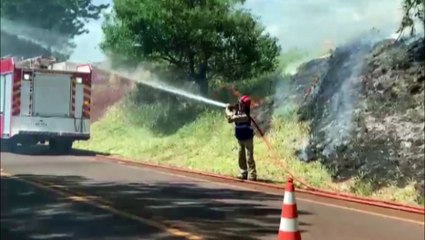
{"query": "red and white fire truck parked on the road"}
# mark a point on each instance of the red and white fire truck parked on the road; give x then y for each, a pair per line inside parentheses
(43, 101)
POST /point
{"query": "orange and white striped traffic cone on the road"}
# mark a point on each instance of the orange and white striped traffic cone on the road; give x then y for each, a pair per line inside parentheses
(288, 229)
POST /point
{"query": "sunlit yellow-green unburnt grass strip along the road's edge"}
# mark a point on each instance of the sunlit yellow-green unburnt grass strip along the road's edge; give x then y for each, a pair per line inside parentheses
(207, 144)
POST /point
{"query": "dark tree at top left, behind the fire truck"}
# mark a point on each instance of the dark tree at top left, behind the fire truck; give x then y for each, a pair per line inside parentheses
(45, 28)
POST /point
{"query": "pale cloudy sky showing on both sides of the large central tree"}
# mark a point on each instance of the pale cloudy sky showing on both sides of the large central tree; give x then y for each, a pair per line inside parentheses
(303, 24)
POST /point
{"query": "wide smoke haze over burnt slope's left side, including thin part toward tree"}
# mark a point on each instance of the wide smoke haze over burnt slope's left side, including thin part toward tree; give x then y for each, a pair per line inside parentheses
(334, 88)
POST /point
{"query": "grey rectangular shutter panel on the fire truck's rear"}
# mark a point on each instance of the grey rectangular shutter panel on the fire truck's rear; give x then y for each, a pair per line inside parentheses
(51, 95)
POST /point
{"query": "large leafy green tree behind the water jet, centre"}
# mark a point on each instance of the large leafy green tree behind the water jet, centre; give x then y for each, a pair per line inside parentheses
(205, 38)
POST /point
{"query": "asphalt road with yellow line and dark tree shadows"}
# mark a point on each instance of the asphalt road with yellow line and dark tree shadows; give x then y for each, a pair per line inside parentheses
(77, 197)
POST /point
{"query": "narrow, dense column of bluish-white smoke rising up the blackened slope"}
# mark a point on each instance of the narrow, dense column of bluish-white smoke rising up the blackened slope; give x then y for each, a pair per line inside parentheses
(338, 125)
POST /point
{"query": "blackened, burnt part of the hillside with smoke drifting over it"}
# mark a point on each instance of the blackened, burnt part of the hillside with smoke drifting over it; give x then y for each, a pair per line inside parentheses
(365, 104)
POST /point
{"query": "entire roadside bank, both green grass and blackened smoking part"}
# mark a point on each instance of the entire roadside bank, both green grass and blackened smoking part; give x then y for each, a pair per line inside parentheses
(358, 111)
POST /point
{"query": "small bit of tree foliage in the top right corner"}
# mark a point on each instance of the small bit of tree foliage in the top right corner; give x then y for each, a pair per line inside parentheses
(413, 9)
